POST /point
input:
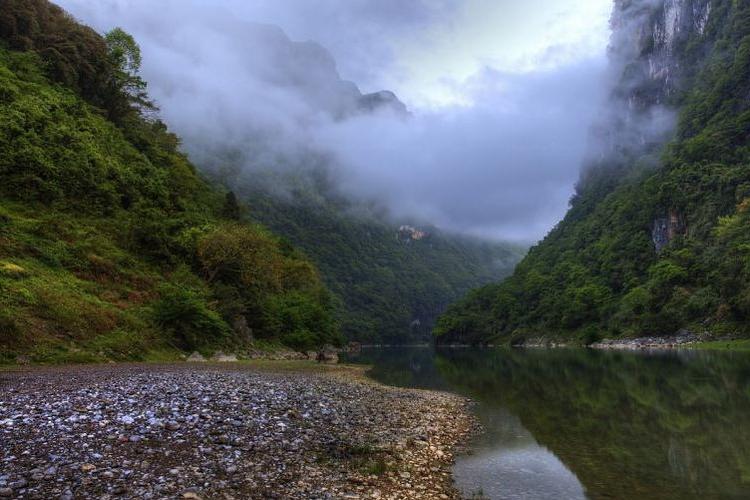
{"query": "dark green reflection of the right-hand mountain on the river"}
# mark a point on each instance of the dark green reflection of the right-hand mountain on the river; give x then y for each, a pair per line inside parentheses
(628, 426)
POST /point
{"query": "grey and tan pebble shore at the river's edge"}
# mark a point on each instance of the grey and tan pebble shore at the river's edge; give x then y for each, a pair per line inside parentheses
(290, 430)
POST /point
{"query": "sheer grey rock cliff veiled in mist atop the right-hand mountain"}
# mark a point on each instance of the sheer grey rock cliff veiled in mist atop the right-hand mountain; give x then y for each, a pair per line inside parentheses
(648, 72)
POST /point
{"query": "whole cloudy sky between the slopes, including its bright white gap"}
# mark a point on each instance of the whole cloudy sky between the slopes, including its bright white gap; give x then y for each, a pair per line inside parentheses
(502, 93)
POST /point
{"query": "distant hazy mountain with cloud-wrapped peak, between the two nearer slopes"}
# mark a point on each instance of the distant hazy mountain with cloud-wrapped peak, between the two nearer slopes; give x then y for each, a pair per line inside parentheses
(389, 286)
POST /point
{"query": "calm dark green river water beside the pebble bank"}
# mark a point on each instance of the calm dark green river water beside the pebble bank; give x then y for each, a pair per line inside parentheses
(577, 423)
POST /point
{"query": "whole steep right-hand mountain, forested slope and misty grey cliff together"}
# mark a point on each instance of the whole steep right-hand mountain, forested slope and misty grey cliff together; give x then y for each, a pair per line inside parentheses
(657, 238)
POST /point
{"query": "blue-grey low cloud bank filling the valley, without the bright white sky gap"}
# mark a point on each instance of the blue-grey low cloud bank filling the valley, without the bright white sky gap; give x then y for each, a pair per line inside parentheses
(501, 164)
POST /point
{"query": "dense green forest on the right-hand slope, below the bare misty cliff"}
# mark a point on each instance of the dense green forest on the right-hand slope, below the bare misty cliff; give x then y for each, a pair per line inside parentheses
(598, 274)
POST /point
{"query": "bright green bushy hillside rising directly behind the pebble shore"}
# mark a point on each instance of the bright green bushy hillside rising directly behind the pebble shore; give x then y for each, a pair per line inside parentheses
(112, 246)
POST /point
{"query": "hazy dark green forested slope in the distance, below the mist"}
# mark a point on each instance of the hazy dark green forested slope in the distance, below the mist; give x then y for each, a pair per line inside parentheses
(389, 287)
